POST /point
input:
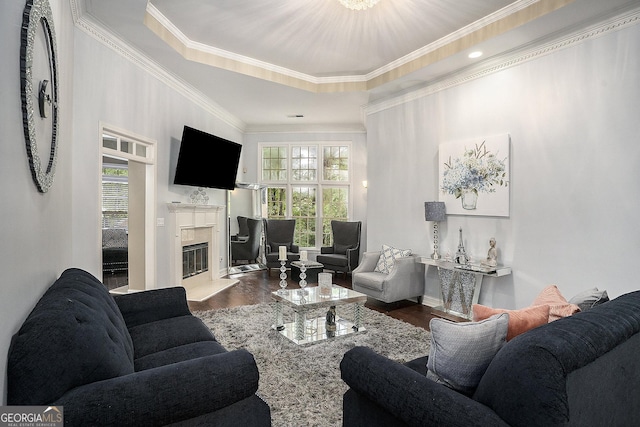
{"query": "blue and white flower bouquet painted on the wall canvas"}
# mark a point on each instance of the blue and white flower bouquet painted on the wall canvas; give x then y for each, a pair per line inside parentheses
(478, 170)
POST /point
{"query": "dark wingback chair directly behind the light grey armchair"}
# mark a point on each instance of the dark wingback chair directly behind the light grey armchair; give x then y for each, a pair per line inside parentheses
(344, 255)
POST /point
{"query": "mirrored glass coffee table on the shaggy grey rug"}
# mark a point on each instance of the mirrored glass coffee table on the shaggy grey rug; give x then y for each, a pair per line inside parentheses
(304, 330)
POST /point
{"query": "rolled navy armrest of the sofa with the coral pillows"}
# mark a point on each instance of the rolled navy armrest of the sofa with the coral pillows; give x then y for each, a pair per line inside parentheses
(408, 395)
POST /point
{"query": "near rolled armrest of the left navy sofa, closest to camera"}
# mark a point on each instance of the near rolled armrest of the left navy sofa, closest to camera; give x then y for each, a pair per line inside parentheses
(166, 394)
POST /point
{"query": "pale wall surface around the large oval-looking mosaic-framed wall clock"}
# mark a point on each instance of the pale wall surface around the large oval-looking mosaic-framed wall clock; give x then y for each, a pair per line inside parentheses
(36, 242)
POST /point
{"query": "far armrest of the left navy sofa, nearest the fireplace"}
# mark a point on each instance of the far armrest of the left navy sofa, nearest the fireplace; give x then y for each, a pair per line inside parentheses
(148, 306)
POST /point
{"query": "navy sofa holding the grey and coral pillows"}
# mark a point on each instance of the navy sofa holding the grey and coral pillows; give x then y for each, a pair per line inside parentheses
(582, 370)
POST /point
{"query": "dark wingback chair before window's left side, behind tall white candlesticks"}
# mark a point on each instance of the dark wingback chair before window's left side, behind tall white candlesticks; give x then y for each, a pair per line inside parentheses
(279, 232)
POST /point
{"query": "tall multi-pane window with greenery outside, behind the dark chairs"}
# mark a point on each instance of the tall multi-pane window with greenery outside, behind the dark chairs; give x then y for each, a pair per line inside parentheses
(309, 183)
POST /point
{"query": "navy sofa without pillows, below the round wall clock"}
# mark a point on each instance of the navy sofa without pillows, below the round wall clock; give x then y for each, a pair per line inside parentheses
(135, 359)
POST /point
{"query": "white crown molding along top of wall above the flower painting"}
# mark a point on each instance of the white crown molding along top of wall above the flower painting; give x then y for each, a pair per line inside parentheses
(518, 57)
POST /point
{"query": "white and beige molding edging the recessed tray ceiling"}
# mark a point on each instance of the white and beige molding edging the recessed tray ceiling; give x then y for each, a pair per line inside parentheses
(505, 19)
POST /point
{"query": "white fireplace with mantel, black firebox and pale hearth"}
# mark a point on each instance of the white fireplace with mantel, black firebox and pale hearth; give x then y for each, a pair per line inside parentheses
(195, 257)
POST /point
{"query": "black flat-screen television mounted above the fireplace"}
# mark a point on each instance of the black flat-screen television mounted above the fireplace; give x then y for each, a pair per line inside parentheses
(207, 160)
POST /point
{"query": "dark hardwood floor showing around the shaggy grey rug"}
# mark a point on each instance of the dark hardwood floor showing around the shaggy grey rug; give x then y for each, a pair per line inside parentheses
(256, 287)
